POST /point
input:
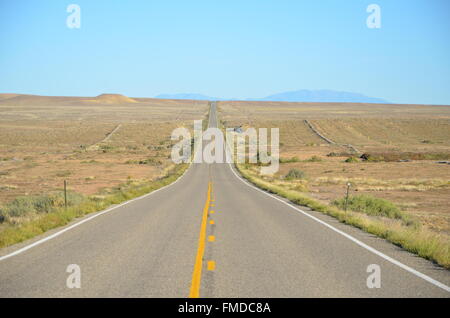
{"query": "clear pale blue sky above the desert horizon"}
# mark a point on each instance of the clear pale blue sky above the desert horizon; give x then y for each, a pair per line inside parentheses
(228, 48)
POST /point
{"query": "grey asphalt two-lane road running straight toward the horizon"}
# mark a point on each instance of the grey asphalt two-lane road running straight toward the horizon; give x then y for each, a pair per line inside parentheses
(171, 244)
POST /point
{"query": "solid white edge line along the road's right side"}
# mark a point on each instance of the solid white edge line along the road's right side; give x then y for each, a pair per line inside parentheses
(367, 247)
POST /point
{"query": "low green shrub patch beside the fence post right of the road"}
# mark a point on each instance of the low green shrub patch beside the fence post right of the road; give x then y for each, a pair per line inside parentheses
(375, 207)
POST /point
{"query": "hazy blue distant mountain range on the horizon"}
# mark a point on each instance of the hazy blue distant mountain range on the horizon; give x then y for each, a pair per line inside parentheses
(303, 95)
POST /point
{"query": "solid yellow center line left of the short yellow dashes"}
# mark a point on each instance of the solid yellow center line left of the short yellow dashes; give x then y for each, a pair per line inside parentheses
(197, 274)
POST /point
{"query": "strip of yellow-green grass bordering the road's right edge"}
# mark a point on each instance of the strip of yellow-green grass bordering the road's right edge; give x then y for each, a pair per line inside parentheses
(418, 240)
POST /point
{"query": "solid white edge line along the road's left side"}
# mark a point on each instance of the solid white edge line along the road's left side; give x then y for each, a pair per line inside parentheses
(23, 249)
